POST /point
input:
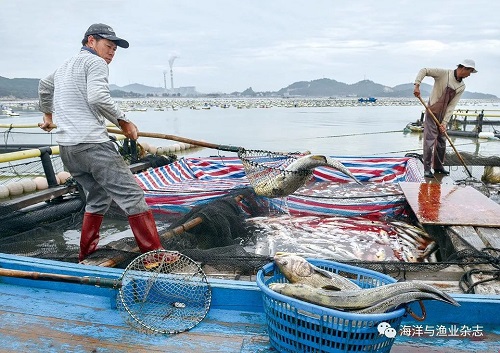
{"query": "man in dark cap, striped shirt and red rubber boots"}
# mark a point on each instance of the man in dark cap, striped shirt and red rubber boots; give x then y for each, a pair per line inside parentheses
(77, 97)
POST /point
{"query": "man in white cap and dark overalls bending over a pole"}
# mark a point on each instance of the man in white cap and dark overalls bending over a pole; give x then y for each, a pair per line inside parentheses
(446, 92)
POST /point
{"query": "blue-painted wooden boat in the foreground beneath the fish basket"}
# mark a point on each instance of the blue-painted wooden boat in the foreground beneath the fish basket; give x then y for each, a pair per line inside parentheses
(57, 316)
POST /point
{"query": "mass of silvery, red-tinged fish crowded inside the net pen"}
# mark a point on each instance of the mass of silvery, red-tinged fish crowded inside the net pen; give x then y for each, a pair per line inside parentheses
(342, 238)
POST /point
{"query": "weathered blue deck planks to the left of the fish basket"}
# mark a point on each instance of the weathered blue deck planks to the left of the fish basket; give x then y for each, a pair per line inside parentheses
(38, 320)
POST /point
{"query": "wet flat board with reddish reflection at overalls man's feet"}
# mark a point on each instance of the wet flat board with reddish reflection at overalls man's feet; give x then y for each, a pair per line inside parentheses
(444, 204)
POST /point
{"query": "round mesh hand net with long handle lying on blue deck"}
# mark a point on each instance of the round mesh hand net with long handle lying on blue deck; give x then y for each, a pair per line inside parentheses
(162, 291)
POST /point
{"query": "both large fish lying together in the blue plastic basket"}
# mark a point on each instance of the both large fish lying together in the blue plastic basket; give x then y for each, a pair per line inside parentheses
(325, 288)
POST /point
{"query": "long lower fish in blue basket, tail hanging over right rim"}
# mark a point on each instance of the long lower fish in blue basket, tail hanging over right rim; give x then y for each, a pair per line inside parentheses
(377, 299)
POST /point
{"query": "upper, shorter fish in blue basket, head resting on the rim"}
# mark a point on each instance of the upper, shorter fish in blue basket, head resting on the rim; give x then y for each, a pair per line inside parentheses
(296, 269)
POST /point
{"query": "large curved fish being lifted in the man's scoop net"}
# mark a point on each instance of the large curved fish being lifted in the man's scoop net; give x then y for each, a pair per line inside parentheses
(296, 175)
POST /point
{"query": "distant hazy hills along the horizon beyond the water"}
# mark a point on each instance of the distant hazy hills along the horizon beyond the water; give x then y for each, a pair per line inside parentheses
(27, 88)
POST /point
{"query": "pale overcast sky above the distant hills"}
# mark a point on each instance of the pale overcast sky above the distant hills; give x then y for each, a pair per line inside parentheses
(230, 45)
